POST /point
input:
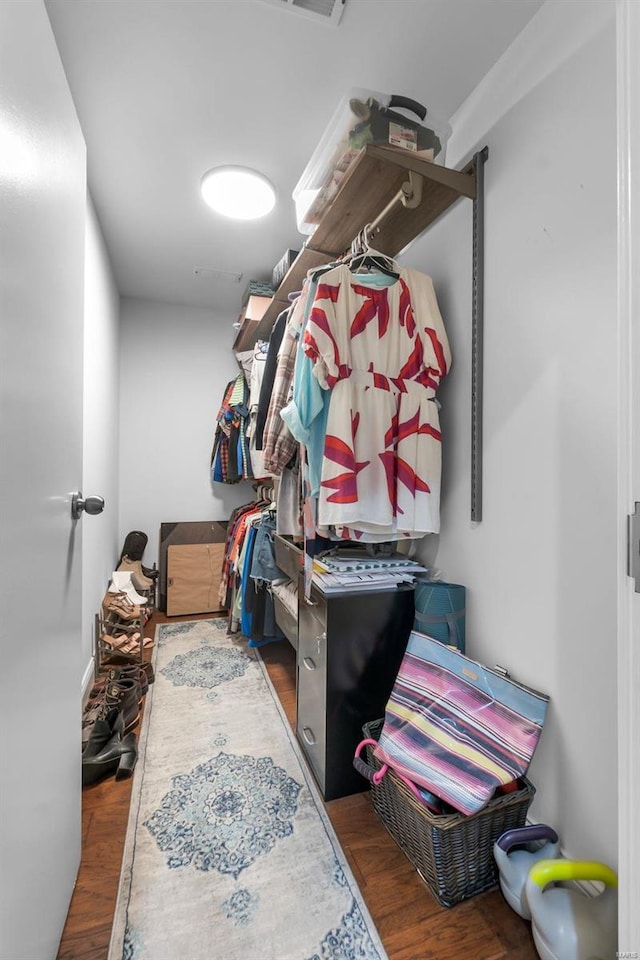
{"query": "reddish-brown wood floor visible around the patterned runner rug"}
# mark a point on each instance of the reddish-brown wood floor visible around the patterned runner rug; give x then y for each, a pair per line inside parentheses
(412, 925)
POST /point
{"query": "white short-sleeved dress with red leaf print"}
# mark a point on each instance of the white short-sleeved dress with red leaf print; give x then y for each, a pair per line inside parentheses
(382, 352)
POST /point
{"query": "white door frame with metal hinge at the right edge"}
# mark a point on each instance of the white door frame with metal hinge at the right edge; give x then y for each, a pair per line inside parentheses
(628, 29)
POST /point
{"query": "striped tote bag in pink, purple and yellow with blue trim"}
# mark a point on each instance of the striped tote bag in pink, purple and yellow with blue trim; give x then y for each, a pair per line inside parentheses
(457, 728)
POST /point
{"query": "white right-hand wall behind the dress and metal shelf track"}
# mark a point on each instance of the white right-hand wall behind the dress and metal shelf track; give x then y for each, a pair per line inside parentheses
(541, 567)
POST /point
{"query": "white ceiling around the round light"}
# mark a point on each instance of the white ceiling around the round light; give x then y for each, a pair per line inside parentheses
(166, 89)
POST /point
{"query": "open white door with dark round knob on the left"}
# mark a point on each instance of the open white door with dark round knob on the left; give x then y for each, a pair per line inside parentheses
(42, 209)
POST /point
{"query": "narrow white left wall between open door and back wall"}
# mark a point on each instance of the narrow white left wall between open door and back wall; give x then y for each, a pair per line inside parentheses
(100, 548)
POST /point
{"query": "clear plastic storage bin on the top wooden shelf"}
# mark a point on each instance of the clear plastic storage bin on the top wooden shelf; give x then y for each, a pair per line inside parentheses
(363, 117)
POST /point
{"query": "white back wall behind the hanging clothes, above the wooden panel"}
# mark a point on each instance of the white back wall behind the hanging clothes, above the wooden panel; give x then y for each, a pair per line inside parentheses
(175, 362)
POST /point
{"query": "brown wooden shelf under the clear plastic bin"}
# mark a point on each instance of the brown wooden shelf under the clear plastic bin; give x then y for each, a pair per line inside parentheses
(372, 181)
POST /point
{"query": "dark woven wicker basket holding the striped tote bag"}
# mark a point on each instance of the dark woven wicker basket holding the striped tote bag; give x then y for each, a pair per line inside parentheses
(453, 853)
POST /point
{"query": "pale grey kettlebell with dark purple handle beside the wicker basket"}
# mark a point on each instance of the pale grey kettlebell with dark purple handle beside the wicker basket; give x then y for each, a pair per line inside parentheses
(515, 852)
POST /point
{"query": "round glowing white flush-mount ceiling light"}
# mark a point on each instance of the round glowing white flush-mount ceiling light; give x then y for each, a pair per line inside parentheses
(238, 192)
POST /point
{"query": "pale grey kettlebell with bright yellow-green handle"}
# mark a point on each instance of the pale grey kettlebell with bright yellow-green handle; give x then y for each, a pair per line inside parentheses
(567, 923)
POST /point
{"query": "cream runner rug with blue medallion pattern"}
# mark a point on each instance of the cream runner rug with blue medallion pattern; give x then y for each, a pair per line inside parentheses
(229, 854)
